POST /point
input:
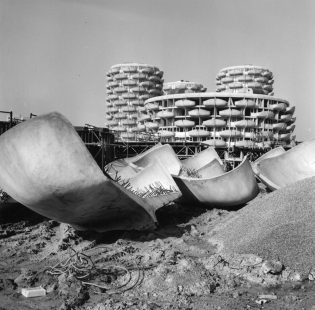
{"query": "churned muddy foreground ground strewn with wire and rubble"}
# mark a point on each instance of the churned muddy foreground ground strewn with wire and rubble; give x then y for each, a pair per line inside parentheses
(172, 267)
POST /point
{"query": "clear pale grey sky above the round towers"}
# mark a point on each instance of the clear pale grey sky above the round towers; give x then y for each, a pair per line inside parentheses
(54, 54)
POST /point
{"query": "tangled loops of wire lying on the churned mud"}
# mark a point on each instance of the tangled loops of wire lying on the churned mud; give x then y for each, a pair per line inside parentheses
(112, 266)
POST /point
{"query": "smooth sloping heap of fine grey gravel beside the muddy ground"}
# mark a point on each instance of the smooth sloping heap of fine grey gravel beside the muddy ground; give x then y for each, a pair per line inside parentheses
(279, 226)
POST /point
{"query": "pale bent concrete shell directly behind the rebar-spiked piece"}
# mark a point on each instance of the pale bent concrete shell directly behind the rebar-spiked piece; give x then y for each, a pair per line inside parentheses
(165, 154)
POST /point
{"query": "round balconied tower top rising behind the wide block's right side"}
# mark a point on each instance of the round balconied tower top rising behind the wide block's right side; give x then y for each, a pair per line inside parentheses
(245, 79)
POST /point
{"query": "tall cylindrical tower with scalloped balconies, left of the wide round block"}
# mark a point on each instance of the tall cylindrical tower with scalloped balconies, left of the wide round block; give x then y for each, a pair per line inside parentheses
(128, 86)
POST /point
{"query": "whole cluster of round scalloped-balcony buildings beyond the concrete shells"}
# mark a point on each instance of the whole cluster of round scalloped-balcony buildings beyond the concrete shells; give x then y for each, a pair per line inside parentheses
(241, 117)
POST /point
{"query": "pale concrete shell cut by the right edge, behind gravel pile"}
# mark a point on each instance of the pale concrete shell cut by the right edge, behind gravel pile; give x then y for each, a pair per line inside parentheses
(294, 165)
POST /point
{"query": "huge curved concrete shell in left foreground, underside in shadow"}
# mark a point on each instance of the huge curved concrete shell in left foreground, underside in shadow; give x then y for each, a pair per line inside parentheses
(46, 167)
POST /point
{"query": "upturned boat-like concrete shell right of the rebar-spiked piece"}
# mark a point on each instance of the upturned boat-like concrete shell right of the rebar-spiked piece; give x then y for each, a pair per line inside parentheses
(233, 188)
